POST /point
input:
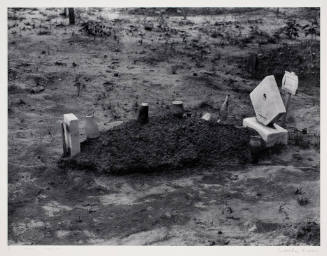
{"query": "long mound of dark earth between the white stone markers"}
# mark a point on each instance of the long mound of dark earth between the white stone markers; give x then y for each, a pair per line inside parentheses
(165, 143)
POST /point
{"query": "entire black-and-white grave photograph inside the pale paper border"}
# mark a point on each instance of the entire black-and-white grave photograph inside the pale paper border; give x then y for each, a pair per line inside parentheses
(164, 126)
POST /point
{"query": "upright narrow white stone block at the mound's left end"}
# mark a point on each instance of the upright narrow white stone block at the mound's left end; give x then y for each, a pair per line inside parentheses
(71, 128)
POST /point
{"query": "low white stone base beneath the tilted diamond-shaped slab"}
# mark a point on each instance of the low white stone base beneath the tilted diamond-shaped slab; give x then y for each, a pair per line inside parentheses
(271, 136)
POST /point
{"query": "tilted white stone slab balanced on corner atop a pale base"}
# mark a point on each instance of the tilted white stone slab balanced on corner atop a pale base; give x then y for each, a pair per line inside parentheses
(267, 102)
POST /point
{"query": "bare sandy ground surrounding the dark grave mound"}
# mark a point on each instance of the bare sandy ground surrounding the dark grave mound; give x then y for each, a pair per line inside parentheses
(200, 60)
